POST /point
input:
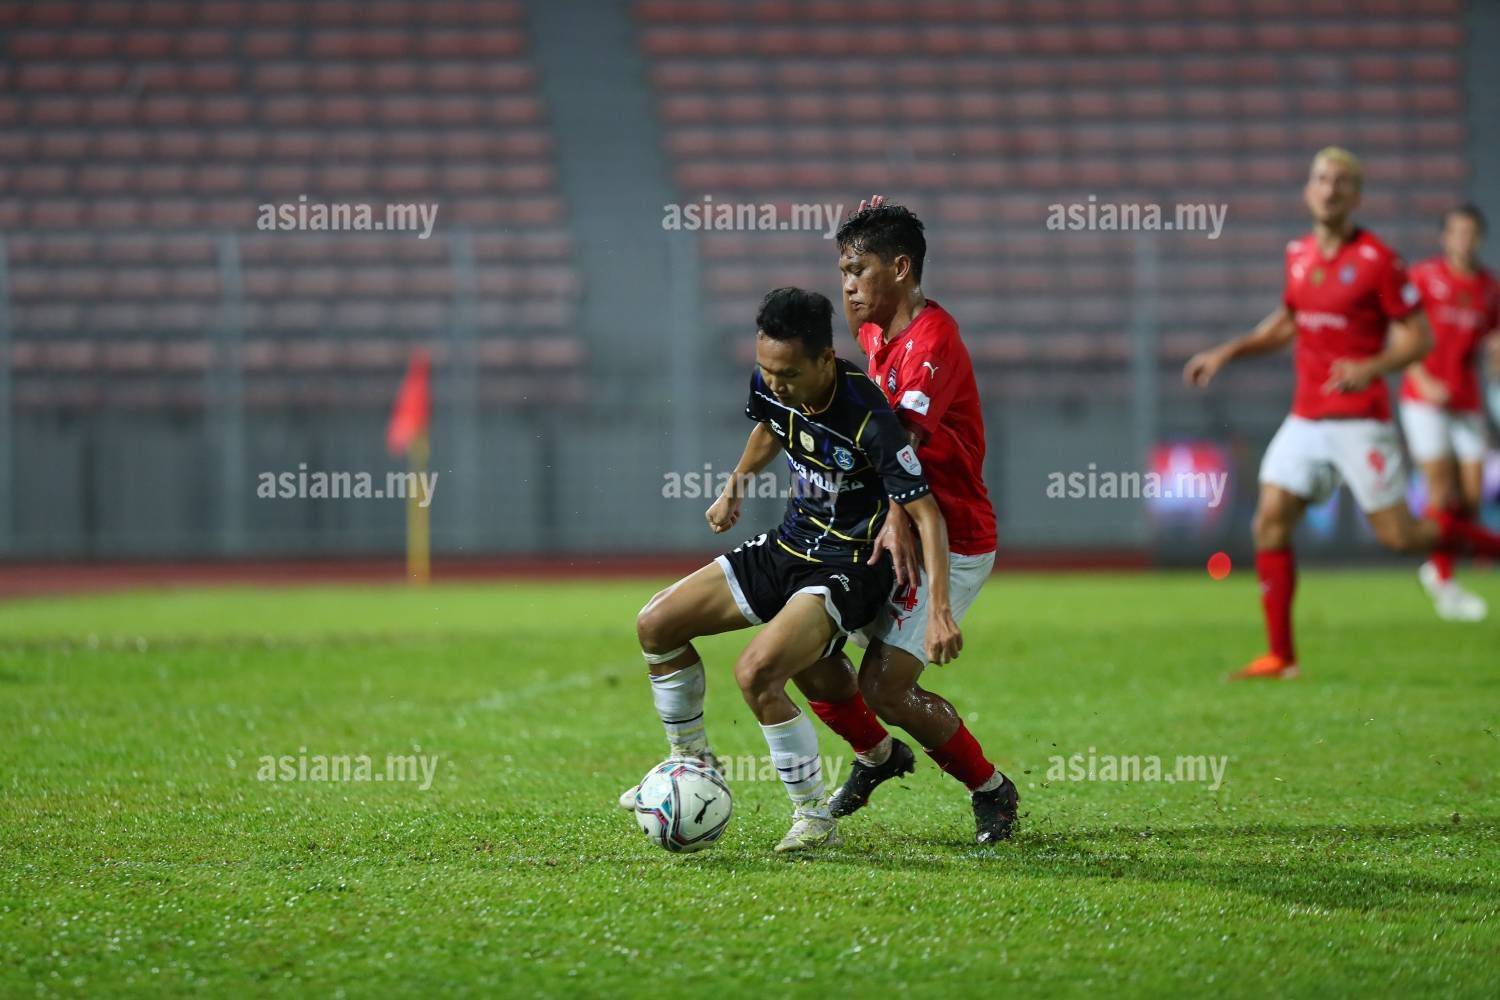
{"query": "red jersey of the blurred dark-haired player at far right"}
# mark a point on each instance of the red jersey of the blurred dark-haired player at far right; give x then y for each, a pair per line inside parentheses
(1463, 311)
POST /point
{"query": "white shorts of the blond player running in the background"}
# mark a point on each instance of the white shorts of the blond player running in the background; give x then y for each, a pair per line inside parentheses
(1309, 458)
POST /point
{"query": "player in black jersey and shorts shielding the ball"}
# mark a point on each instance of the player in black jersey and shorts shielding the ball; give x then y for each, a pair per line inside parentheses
(811, 581)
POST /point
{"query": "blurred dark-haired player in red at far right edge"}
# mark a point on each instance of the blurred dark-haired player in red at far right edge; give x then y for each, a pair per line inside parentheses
(1441, 403)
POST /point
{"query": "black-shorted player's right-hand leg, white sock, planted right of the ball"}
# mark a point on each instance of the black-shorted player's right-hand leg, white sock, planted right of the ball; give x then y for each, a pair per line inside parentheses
(802, 633)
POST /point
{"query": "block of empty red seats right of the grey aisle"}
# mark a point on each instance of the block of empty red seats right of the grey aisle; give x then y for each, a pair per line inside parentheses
(980, 116)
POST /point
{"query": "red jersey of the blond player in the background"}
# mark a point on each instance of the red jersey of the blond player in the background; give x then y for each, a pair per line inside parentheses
(1343, 308)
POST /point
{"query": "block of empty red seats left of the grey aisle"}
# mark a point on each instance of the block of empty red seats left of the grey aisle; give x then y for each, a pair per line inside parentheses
(136, 137)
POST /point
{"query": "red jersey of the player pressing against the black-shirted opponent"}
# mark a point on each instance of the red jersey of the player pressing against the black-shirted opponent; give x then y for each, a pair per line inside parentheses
(929, 380)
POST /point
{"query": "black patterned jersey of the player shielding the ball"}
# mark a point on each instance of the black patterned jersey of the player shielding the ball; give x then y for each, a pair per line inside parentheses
(847, 461)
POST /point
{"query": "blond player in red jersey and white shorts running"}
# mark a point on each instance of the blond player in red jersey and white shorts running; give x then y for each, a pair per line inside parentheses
(1345, 293)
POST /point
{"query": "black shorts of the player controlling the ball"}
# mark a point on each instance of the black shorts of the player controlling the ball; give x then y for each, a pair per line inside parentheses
(764, 578)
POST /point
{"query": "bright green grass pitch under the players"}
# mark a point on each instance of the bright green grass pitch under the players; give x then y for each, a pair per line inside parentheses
(1352, 849)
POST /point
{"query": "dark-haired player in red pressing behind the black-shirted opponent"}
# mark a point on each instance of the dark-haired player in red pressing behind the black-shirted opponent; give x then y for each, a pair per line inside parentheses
(916, 356)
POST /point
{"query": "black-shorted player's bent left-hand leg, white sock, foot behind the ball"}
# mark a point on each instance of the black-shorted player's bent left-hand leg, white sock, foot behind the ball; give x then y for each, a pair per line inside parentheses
(700, 605)
